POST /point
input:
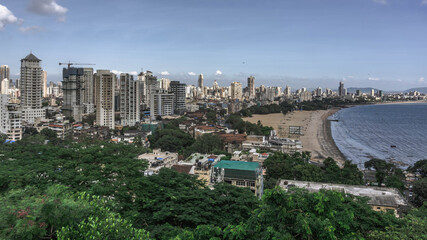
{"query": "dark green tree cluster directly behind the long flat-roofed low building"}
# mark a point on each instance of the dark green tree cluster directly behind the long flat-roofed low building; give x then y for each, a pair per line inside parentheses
(297, 167)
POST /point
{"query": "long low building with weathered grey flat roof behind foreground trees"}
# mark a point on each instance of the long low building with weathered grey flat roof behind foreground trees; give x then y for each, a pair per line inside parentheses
(380, 199)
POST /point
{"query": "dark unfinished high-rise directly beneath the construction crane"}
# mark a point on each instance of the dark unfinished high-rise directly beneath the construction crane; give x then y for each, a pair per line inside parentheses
(73, 87)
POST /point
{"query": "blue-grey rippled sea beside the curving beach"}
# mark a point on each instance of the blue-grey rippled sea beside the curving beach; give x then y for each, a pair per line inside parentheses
(396, 133)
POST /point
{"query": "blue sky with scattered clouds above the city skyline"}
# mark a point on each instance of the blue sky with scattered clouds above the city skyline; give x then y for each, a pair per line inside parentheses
(300, 43)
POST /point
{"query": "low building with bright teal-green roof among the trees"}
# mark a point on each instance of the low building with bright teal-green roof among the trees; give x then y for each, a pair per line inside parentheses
(240, 174)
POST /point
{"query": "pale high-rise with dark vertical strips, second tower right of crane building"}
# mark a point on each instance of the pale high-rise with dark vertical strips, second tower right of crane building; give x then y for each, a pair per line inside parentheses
(129, 100)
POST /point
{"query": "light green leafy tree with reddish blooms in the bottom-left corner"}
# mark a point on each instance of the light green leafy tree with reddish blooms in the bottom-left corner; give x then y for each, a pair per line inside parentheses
(30, 213)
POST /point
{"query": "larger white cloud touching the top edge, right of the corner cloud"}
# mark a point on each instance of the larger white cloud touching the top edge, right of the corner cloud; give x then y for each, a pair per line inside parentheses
(48, 7)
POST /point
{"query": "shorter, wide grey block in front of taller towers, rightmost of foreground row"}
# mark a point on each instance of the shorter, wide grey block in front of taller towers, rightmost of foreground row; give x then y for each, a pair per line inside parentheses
(161, 104)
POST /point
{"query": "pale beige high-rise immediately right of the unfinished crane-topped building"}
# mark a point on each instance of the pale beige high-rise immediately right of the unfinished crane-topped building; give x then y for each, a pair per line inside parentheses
(104, 88)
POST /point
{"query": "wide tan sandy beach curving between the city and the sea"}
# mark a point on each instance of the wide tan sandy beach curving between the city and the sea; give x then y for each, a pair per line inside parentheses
(316, 135)
